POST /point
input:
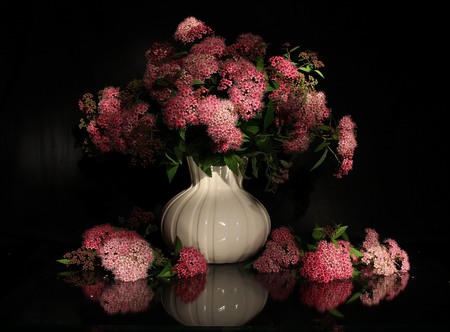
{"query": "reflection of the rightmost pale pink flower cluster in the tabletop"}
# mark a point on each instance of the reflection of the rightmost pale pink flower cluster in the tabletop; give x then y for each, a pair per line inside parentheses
(384, 288)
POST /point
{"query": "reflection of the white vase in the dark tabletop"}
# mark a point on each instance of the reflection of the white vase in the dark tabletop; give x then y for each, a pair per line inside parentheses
(231, 297)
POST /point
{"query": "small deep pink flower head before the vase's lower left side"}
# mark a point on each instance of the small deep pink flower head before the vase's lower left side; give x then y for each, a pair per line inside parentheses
(190, 263)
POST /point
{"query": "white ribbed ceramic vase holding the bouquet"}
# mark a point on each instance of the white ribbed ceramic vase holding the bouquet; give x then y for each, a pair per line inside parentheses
(217, 216)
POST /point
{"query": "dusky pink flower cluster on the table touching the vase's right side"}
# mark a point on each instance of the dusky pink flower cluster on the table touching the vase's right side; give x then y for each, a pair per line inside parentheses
(280, 252)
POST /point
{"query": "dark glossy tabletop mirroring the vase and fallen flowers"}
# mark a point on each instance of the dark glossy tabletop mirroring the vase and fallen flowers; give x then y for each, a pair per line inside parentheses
(37, 297)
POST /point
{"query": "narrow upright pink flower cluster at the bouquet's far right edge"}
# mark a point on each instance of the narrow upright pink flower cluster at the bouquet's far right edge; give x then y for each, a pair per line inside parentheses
(346, 145)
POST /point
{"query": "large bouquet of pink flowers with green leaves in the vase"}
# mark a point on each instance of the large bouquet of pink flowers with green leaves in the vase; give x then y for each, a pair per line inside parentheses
(221, 104)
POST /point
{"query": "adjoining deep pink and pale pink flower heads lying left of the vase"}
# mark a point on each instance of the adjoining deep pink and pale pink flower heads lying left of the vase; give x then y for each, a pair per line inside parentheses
(123, 252)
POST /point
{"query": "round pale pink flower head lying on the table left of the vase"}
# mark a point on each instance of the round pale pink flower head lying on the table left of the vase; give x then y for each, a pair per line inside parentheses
(127, 255)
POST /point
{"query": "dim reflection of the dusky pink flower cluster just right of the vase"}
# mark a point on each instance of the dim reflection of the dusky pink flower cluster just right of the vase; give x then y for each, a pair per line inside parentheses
(279, 285)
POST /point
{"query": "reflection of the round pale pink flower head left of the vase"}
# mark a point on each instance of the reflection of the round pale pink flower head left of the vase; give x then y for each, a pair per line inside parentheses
(126, 297)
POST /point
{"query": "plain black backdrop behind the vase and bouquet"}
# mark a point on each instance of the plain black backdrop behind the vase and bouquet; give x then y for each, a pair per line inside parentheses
(384, 65)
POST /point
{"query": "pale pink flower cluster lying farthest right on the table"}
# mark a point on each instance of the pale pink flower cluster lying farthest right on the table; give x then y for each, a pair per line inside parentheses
(384, 258)
